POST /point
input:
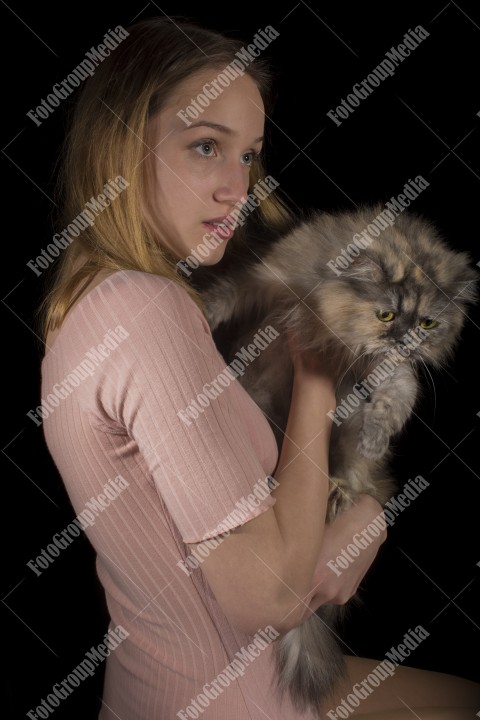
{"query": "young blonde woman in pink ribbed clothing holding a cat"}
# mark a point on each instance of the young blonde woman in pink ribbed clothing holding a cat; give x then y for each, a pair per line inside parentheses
(129, 352)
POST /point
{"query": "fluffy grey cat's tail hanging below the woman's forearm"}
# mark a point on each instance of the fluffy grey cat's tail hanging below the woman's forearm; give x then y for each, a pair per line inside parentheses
(309, 661)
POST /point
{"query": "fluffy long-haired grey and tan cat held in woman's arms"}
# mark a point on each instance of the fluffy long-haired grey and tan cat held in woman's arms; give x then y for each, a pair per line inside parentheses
(381, 306)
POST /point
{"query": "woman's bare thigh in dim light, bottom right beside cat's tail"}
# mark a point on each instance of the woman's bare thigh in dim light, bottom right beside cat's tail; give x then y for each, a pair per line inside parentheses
(439, 696)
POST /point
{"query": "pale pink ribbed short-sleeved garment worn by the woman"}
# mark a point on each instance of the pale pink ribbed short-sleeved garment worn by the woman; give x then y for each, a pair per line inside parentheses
(183, 483)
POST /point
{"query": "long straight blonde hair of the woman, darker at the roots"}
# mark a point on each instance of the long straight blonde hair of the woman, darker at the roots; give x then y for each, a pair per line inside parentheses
(105, 140)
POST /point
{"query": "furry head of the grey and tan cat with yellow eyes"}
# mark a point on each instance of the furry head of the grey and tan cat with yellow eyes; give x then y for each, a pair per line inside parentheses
(406, 285)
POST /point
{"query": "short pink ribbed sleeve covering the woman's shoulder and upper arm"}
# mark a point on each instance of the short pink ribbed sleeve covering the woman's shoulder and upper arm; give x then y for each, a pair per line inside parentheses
(205, 443)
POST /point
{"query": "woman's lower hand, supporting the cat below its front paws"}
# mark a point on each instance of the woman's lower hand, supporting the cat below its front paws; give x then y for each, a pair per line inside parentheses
(334, 584)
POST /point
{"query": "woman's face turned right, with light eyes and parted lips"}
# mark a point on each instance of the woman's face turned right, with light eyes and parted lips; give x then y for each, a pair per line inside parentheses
(197, 173)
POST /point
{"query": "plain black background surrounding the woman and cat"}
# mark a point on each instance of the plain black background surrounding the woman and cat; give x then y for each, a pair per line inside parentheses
(423, 120)
